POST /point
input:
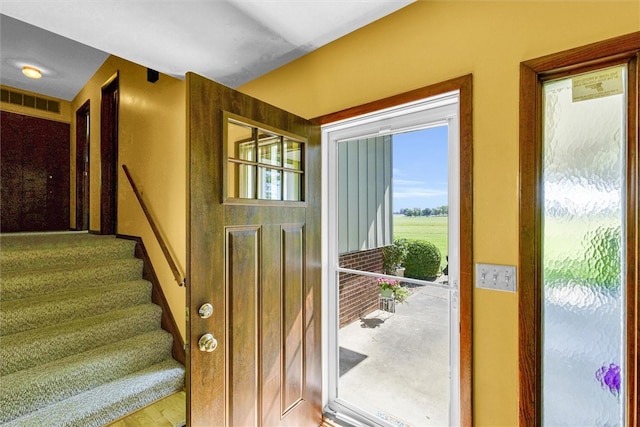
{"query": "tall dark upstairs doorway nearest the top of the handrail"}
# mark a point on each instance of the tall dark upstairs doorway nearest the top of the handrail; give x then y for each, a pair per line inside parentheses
(109, 103)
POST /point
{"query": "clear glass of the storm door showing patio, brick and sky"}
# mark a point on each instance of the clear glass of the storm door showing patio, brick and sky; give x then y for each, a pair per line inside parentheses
(394, 355)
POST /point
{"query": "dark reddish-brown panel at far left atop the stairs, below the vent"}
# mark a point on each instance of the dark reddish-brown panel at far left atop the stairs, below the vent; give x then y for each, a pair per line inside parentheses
(35, 174)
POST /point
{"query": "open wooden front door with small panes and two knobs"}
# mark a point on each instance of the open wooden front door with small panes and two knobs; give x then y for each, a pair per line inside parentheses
(254, 255)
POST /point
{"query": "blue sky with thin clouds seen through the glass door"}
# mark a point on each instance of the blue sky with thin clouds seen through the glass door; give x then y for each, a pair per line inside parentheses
(420, 169)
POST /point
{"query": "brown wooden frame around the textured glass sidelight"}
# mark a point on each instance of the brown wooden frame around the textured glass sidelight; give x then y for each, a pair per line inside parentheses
(532, 73)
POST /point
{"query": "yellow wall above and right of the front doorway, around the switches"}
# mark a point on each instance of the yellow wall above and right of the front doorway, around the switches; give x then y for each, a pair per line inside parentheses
(428, 42)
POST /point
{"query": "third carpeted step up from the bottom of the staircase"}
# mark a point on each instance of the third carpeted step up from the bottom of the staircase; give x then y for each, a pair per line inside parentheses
(27, 349)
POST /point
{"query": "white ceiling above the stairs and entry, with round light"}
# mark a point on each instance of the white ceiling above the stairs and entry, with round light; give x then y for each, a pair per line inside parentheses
(230, 41)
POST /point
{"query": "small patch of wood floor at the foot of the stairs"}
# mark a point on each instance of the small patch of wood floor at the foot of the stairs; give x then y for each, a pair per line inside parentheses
(168, 412)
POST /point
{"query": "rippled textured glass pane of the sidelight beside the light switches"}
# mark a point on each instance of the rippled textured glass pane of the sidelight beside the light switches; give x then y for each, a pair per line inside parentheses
(583, 354)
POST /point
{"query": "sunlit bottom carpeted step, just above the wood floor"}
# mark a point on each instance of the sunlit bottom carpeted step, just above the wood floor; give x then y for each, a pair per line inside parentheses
(108, 402)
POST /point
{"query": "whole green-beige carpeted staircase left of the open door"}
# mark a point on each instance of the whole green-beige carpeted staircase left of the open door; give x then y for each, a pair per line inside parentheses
(80, 340)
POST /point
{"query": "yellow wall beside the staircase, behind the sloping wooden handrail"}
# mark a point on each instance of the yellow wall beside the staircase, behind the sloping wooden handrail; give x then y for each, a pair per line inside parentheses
(152, 143)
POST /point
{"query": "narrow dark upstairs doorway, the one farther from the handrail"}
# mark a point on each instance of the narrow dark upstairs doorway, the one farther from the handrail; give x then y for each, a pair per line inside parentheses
(82, 166)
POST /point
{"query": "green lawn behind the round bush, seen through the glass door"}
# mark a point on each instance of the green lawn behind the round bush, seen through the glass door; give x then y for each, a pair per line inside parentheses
(430, 228)
